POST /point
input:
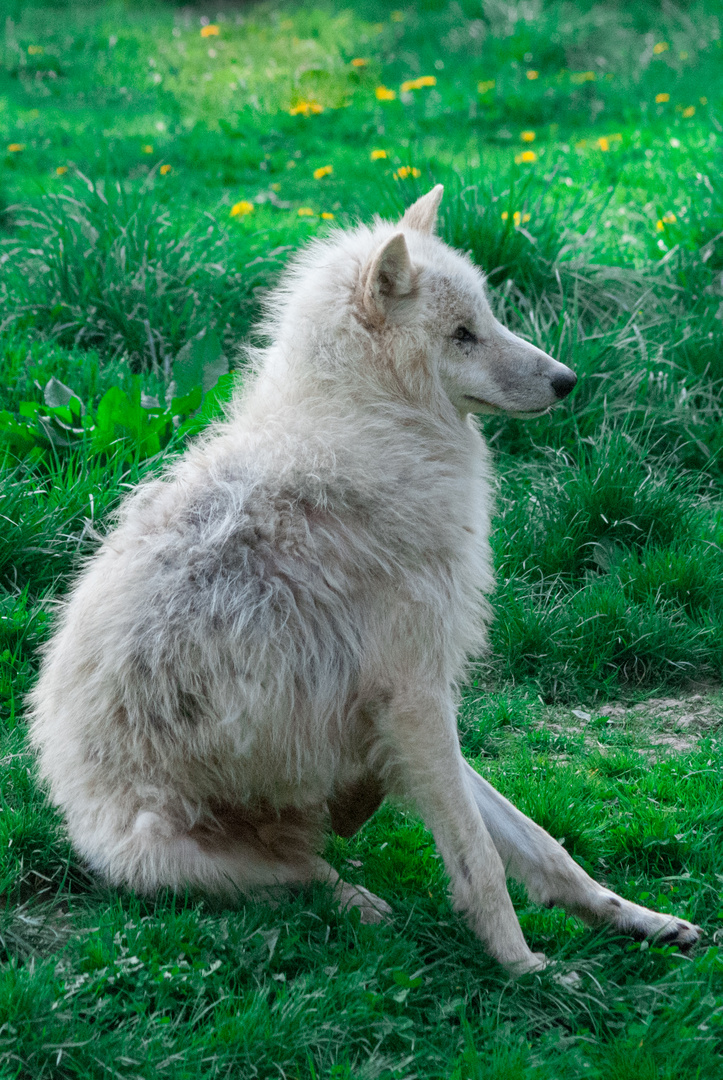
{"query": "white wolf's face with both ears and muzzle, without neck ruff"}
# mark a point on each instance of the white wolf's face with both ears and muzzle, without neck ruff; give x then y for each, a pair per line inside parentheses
(484, 368)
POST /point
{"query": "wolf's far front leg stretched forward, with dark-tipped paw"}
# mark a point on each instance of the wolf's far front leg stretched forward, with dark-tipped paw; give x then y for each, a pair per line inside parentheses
(553, 877)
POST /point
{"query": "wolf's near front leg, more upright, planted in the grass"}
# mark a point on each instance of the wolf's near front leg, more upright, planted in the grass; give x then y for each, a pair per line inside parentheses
(422, 735)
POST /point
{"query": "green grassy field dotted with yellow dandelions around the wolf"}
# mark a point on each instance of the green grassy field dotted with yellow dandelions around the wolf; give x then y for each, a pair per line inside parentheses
(159, 165)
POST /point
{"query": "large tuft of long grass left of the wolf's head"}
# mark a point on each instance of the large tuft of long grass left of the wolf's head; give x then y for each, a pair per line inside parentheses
(111, 272)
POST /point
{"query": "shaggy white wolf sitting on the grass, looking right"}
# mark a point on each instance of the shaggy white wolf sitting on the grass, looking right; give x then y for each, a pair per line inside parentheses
(271, 638)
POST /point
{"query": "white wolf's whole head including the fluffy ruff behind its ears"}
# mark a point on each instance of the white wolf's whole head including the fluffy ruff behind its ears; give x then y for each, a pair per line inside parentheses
(396, 309)
